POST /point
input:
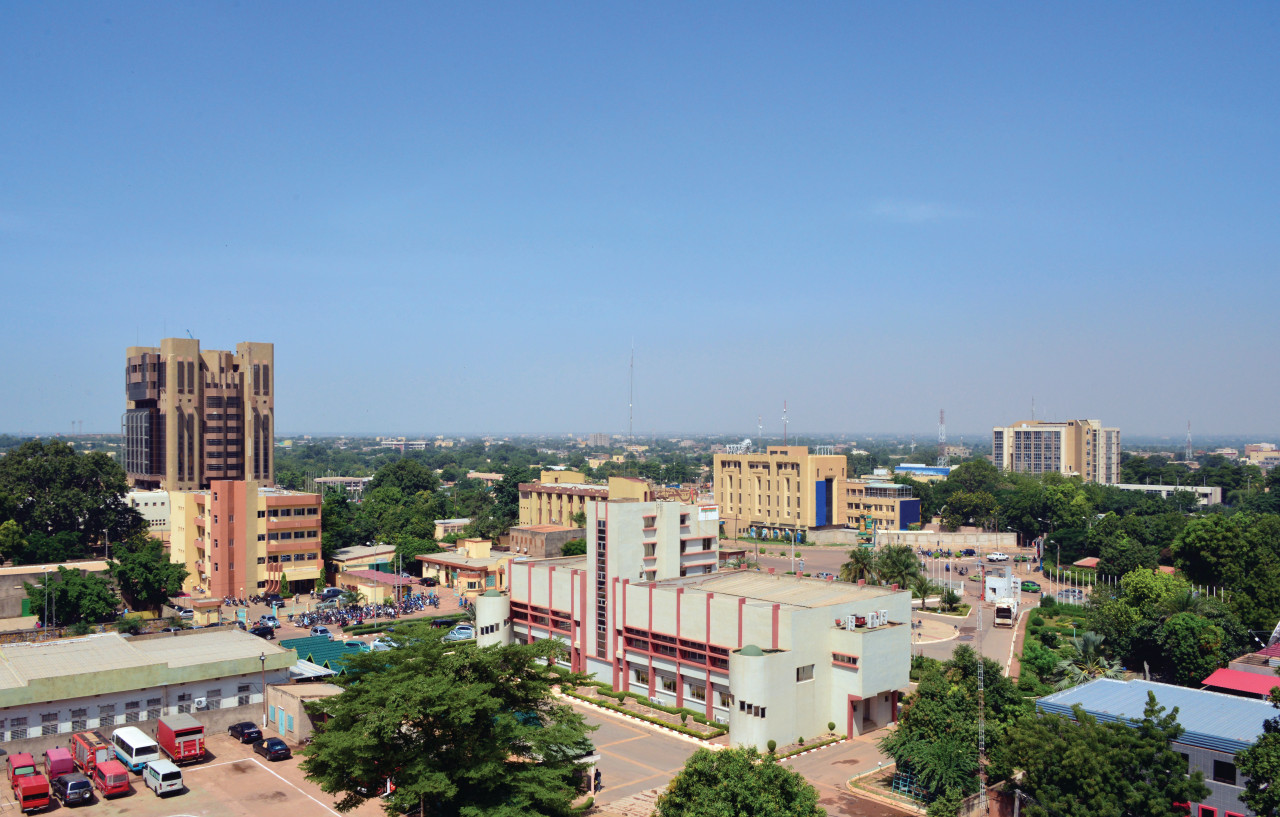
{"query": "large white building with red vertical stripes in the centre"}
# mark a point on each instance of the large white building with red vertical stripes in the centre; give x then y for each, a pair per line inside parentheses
(647, 611)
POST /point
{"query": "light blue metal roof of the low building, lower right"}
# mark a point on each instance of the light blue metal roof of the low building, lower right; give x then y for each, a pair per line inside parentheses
(1213, 720)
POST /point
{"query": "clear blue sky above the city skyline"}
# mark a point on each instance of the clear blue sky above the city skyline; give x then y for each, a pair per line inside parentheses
(460, 217)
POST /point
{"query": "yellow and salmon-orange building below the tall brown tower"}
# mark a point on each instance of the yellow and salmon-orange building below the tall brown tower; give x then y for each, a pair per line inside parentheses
(240, 538)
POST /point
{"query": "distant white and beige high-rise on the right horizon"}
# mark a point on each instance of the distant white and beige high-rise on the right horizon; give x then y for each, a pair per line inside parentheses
(1076, 449)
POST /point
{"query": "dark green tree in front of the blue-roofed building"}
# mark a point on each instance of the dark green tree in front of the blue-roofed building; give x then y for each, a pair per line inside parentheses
(1087, 769)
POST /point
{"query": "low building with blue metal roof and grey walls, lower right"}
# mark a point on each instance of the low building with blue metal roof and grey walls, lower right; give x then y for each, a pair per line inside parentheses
(1219, 727)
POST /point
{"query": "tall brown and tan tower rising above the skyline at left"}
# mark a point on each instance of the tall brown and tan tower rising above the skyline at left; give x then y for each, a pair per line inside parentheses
(196, 416)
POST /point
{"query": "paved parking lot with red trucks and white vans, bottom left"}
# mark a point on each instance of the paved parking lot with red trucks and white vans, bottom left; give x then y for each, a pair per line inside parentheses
(232, 782)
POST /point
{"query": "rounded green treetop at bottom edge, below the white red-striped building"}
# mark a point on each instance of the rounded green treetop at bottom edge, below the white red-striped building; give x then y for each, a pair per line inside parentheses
(738, 783)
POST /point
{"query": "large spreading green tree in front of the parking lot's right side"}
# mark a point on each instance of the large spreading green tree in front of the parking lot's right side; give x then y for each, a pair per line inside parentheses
(469, 732)
